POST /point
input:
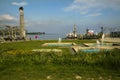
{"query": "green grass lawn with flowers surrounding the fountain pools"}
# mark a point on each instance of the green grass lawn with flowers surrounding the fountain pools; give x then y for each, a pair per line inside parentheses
(28, 65)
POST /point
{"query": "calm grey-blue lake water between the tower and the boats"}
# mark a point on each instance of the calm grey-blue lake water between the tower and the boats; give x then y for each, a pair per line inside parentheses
(47, 36)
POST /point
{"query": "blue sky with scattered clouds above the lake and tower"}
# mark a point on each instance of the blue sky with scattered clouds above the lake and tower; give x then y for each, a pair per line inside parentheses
(59, 16)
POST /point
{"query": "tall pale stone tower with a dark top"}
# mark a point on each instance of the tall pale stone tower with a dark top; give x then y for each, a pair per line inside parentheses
(22, 25)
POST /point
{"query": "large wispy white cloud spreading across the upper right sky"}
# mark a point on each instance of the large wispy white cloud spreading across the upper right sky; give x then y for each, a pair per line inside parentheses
(93, 6)
